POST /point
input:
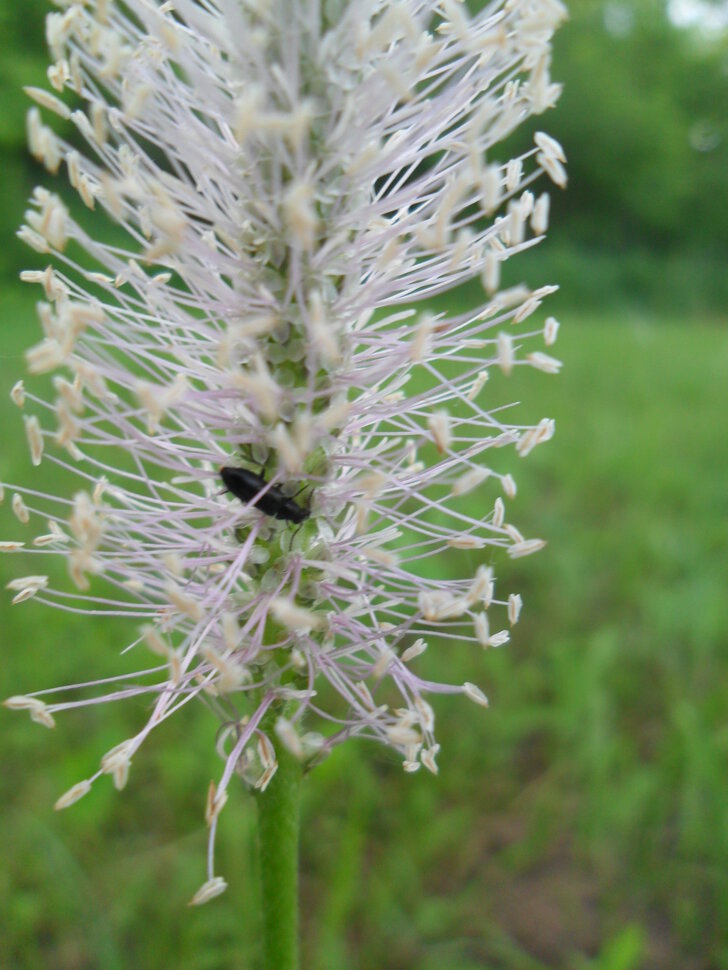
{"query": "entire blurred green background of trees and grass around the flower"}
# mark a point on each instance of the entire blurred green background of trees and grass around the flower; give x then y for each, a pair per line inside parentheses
(581, 822)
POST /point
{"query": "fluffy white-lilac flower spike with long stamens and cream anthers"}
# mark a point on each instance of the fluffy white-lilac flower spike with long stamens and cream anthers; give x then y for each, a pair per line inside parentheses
(286, 180)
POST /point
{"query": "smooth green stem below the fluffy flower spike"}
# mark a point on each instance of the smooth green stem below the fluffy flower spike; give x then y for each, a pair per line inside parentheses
(278, 825)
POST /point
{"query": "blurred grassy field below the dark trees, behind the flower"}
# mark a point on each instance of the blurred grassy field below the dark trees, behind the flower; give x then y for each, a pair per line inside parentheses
(581, 822)
